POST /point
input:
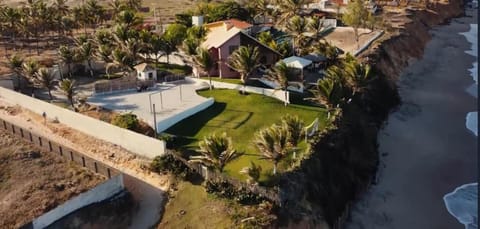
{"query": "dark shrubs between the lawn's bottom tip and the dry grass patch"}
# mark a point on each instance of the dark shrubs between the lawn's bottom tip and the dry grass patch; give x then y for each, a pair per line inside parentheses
(225, 189)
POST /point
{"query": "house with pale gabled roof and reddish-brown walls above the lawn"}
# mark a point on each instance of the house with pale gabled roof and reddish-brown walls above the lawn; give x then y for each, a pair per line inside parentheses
(222, 41)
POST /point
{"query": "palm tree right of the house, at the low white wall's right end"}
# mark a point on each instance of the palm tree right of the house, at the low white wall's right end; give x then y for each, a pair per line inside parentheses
(282, 74)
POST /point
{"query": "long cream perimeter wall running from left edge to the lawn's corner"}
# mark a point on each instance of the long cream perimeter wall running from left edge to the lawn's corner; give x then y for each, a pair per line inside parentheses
(136, 143)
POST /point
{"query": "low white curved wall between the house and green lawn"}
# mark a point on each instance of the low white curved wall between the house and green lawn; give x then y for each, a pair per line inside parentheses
(277, 94)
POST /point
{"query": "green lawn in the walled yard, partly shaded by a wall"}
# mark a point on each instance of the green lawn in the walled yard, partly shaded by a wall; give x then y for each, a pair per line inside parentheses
(240, 116)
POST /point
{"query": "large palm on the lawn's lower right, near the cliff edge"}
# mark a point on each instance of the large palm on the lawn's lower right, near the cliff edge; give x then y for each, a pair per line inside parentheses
(272, 143)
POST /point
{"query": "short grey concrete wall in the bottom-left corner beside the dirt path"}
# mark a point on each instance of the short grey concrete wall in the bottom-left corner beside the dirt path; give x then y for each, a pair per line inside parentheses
(102, 192)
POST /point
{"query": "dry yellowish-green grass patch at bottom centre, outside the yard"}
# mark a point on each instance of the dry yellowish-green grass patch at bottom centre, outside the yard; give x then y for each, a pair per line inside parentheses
(199, 209)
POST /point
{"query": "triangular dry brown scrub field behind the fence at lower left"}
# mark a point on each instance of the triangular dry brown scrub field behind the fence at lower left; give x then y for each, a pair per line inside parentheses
(33, 182)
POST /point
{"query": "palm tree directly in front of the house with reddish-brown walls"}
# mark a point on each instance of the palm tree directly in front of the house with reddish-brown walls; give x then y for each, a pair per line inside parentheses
(244, 60)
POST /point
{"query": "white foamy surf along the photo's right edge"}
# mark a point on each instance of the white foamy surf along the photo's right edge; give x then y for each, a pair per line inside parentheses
(462, 202)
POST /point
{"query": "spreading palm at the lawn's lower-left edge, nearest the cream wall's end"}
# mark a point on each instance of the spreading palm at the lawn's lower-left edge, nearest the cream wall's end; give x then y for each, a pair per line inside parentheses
(217, 152)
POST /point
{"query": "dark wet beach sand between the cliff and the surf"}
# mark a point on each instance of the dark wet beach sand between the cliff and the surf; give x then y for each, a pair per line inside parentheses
(426, 150)
